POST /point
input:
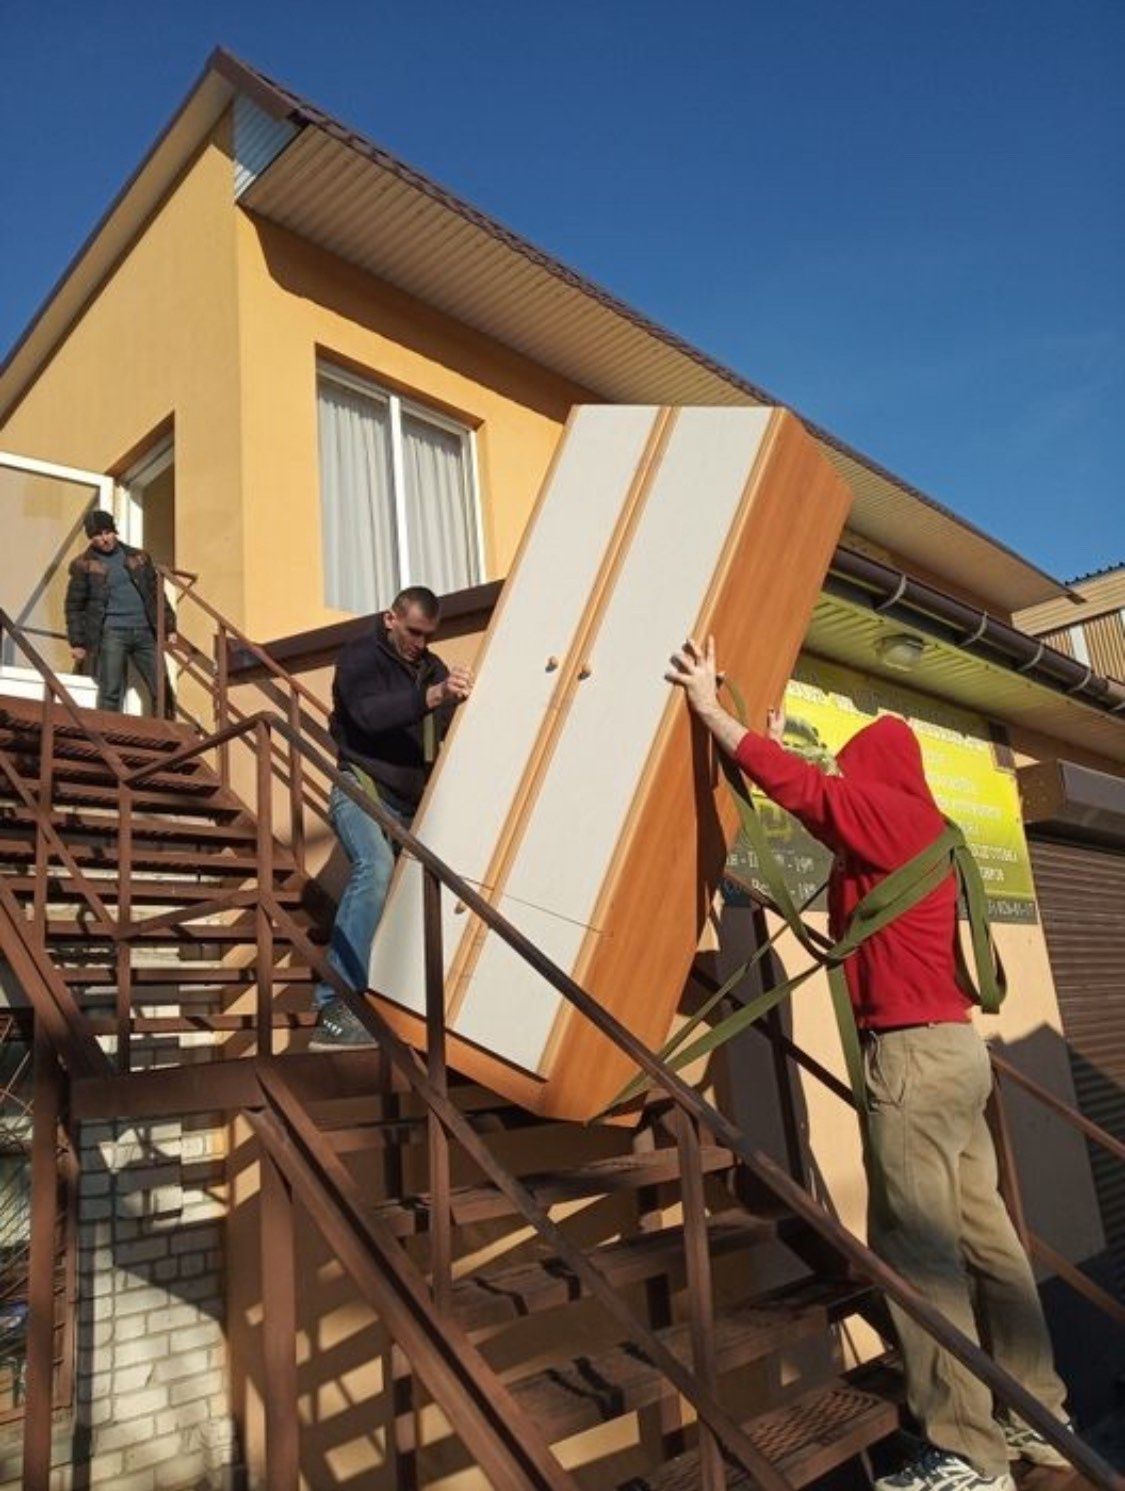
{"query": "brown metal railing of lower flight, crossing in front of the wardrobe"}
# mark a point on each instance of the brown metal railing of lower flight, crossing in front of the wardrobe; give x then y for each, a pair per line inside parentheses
(720, 1437)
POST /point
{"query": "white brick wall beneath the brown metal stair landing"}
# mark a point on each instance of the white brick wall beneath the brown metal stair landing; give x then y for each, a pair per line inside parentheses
(151, 1387)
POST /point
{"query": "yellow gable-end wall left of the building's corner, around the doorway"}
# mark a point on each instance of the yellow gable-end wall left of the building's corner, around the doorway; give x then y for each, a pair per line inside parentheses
(160, 344)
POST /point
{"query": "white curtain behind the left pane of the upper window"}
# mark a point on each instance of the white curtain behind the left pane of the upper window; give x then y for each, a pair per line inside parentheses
(357, 503)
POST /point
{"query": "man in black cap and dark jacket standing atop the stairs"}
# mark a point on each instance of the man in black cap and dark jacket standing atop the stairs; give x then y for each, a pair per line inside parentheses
(111, 606)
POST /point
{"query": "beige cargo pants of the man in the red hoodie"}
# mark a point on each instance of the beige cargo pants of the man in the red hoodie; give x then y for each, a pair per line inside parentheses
(937, 1216)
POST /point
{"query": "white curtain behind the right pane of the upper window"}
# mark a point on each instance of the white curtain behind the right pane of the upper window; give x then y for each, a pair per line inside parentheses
(440, 512)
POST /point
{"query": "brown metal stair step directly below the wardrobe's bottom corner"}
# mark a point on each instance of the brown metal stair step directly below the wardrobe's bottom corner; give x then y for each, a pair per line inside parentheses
(624, 1173)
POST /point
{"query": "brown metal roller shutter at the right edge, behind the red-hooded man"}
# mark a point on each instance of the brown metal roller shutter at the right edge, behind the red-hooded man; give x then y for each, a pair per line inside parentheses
(1083, 904)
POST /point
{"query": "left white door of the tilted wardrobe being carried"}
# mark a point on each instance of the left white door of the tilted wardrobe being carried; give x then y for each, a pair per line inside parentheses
(497, 730)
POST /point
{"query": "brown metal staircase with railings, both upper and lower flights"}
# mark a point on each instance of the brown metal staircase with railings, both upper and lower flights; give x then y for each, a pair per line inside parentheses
(151, 889)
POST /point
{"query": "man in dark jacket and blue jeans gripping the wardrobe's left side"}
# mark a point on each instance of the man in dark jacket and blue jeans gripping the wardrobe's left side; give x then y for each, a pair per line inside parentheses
(393, 700)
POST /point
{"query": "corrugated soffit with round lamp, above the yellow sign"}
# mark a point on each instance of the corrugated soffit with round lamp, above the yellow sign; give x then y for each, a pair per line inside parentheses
(849, 634)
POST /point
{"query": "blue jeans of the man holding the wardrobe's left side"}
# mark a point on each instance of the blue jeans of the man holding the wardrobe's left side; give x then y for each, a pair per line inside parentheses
(366, 894)
